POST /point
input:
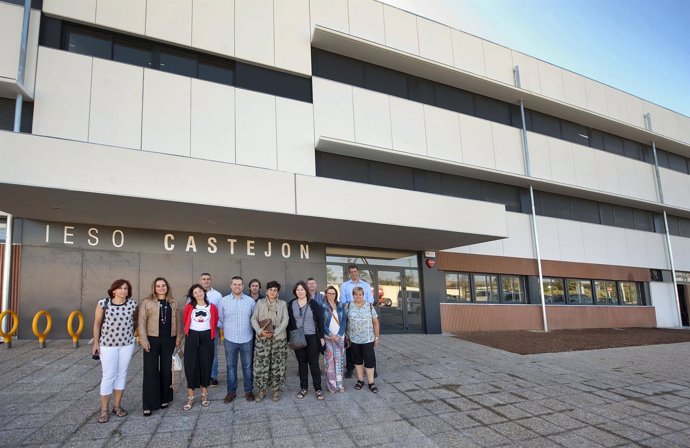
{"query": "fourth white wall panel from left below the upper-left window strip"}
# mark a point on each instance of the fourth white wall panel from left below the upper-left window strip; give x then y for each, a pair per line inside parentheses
(213, 121)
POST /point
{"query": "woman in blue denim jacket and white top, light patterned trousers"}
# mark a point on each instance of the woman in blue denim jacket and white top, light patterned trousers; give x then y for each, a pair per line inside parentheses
(335, 323)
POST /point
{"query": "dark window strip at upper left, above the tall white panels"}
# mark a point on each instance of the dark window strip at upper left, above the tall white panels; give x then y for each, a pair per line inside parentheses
(150, 54)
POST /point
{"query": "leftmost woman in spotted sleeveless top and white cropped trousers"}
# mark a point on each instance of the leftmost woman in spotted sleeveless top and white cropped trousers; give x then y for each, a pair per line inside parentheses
(113, 341)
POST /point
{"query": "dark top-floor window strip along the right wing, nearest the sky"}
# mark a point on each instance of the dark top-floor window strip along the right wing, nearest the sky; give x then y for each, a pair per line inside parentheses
(391, 82)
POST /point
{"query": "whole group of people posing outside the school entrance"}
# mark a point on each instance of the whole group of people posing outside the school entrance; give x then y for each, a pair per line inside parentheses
(256, 329)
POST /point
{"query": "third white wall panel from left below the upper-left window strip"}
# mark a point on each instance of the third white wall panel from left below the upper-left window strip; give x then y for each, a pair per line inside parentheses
(167, 110)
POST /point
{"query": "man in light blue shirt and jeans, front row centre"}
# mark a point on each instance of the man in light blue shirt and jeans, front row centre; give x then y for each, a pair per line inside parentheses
(234, 316)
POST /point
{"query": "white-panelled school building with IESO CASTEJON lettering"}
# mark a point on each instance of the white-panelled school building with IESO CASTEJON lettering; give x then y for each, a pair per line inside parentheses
(476, 187)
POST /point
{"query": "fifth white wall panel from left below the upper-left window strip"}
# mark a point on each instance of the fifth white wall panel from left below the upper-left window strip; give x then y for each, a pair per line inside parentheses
(255, 129)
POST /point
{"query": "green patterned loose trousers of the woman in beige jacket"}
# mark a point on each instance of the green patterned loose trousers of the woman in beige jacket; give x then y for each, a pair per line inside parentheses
(270, 359)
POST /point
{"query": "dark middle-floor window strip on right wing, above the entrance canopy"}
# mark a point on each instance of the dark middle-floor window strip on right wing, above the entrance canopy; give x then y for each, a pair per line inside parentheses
(515, 199)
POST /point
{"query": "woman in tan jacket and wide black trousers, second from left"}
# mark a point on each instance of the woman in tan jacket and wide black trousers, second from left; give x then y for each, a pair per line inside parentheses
(159, 334)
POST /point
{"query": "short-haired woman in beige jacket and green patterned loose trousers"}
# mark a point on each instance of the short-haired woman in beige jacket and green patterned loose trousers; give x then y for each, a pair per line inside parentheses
(269, 321)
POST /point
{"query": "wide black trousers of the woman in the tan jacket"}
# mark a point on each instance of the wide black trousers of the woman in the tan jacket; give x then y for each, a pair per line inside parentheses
(156, 388)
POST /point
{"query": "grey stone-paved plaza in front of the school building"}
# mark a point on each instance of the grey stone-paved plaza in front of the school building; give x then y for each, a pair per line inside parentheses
(435, 390)
